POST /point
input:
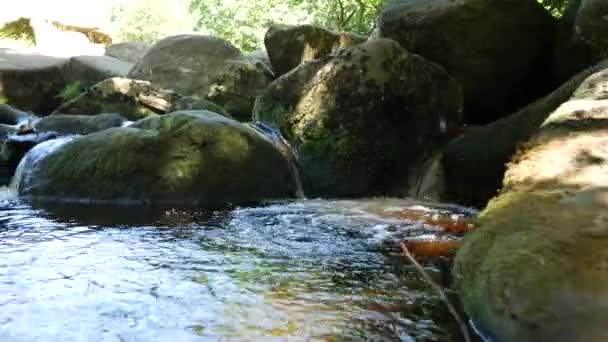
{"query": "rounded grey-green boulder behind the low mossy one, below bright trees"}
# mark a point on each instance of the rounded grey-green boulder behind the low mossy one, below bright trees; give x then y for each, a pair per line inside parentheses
(204, 66)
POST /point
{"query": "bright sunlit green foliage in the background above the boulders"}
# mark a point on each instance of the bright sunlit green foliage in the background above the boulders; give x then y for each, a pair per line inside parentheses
(243, 22)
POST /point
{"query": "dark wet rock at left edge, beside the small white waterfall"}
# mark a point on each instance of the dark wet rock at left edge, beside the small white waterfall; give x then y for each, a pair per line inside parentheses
(12, 149)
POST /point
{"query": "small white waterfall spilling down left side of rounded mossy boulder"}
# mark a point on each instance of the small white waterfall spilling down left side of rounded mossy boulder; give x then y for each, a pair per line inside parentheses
(33, 158)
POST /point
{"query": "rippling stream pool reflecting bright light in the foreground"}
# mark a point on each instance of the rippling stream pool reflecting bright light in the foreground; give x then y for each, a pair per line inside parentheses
(299, 271)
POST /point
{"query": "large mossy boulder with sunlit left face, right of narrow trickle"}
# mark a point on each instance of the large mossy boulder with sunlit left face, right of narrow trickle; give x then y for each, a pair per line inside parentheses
(362, 119)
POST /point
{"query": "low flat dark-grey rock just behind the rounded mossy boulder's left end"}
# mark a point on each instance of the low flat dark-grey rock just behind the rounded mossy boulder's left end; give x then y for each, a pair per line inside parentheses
(78, 124)
